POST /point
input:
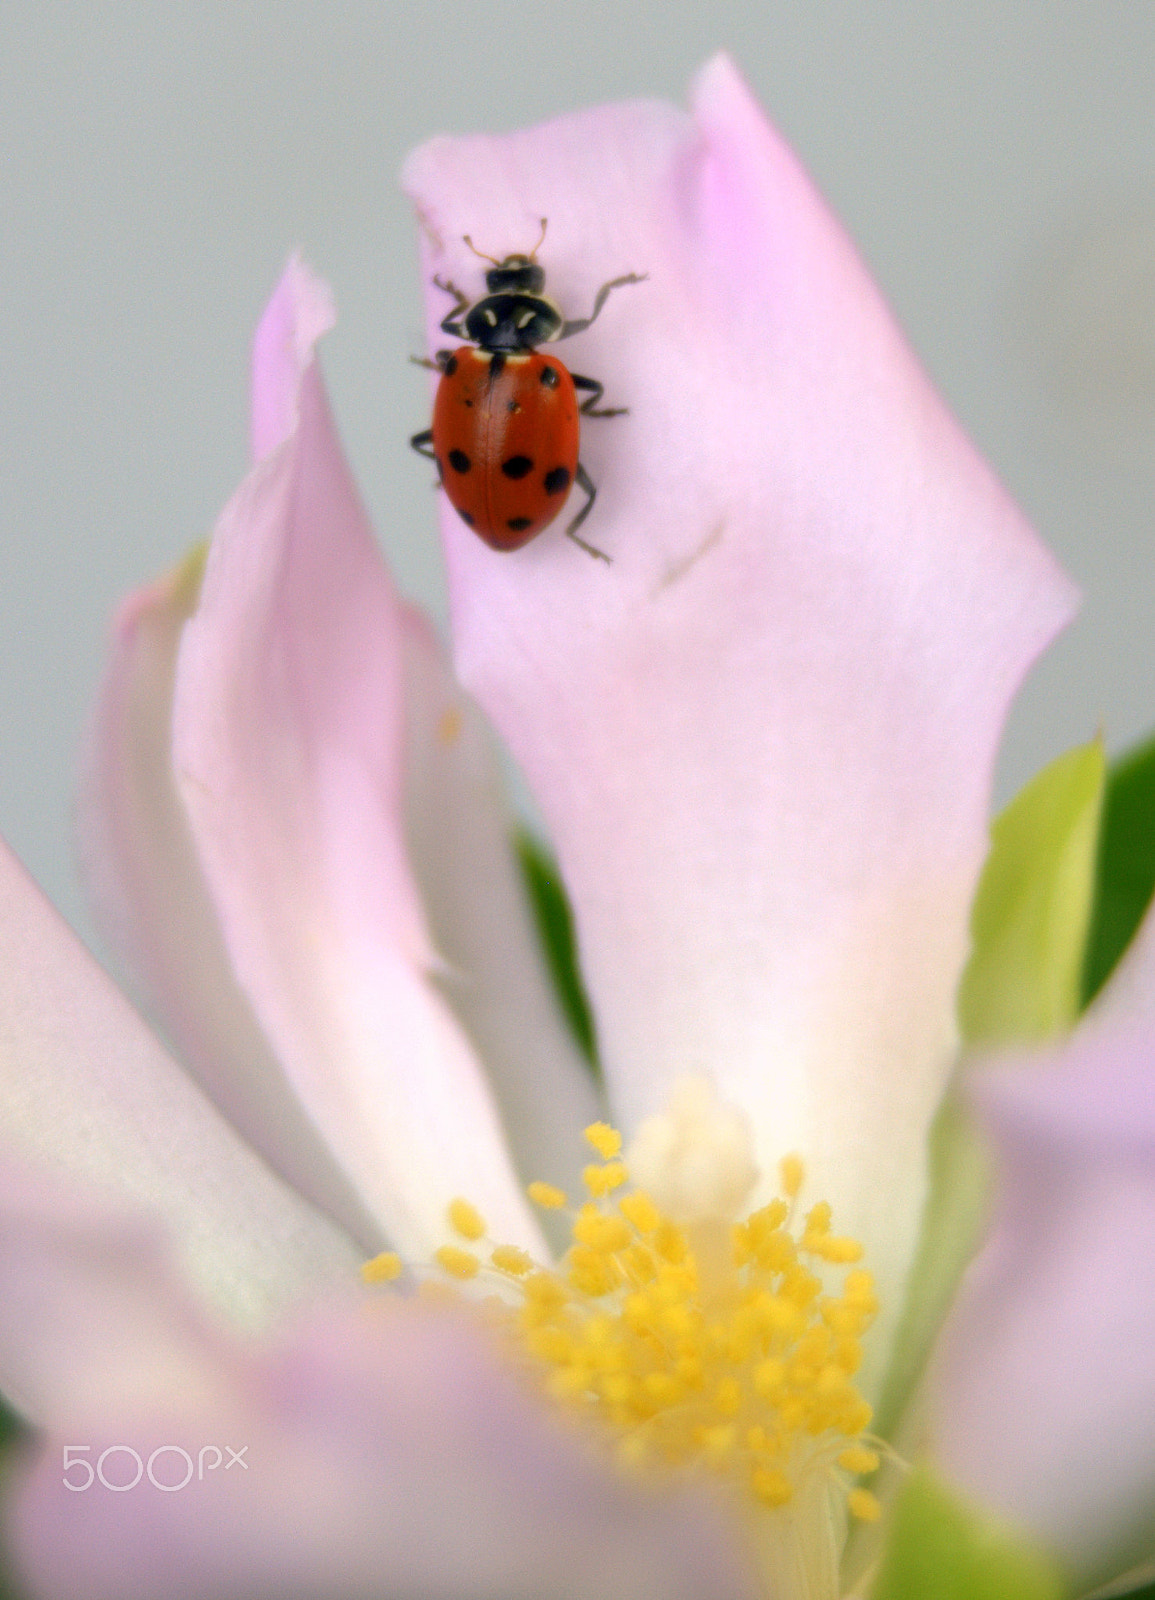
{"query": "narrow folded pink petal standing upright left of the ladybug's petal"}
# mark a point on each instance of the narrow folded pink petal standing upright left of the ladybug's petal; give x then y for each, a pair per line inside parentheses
(289, 737)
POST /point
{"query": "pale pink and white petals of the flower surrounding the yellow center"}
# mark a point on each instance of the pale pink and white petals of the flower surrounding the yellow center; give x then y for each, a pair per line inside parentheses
(762, 740)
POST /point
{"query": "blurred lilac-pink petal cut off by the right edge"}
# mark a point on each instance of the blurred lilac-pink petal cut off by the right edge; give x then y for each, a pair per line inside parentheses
(1045, 1383)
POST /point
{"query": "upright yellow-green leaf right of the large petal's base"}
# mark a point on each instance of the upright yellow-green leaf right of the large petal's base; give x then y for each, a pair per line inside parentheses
(1029, 924)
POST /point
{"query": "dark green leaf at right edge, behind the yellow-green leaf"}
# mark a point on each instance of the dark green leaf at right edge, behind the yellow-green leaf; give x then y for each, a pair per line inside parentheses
(1125, 876)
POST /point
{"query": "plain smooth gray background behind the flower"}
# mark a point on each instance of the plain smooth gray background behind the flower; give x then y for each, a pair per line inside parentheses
(994, 161)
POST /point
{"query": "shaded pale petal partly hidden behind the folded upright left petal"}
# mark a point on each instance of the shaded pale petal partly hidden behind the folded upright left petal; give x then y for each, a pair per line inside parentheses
(151, 900)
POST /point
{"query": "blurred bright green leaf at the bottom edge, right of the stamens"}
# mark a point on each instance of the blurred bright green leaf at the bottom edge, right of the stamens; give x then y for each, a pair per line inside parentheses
(943, 1550)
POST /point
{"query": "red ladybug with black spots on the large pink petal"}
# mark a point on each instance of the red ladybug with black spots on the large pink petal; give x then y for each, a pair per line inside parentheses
(506, 418)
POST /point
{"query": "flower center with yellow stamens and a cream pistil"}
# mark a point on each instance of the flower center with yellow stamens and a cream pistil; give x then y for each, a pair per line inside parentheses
(692, 1340)
